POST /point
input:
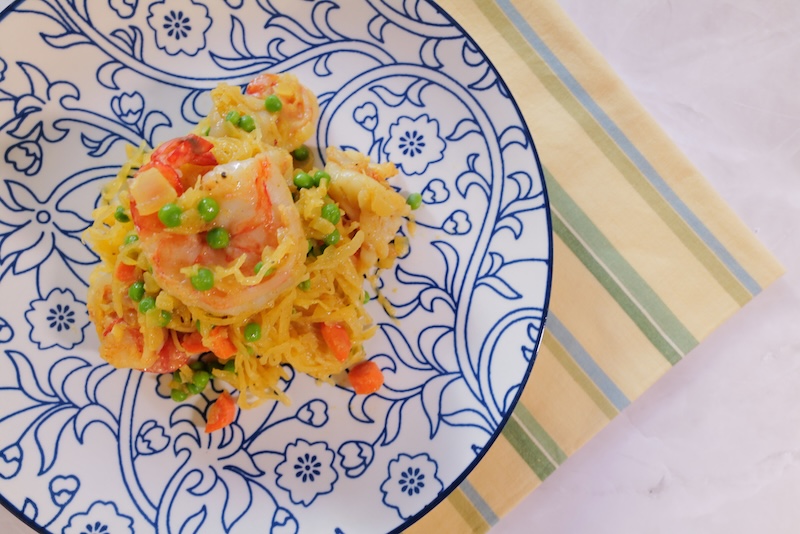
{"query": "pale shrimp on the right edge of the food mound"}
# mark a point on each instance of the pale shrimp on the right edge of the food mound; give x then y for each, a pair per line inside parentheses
(361, 190)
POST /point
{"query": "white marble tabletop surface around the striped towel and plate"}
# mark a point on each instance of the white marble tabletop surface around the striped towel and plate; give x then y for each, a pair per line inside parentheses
(714, 447)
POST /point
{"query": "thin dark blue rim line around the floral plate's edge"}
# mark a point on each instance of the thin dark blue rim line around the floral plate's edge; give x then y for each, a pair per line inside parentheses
(545, 307)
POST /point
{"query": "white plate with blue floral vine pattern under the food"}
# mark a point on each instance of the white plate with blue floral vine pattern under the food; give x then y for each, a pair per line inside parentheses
(85, 446)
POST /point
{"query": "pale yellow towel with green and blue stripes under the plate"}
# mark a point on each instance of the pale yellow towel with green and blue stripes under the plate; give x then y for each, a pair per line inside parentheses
(648, 259)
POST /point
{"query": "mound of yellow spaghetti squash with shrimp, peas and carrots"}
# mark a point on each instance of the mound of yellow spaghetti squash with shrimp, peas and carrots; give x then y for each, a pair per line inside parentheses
(226, 254)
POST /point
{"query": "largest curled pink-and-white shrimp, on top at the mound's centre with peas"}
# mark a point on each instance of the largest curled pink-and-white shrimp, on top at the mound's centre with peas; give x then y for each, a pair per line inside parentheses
(257, 212)
